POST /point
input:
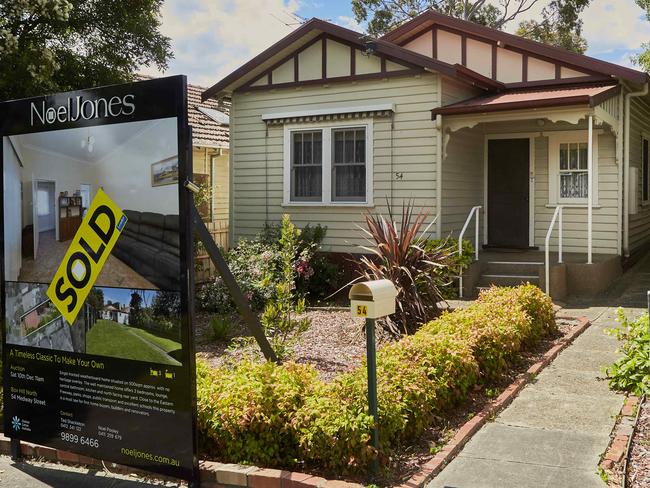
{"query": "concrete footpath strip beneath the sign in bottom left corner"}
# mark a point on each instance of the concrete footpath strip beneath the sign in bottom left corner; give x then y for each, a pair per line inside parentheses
(42, 475)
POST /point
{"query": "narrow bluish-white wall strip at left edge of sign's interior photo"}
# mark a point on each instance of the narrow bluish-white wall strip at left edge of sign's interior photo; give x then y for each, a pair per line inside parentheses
(12, 219)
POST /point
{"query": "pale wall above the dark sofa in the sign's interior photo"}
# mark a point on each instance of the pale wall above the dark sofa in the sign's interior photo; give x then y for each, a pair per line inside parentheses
(125, 174)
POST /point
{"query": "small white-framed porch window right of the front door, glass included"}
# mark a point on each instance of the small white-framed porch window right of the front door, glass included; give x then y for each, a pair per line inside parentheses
(568, 167)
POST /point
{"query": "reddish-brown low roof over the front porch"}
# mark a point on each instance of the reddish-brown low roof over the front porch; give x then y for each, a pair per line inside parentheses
(532, 98)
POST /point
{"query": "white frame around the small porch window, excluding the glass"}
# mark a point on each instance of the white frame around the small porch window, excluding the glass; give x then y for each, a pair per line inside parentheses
(569, 137)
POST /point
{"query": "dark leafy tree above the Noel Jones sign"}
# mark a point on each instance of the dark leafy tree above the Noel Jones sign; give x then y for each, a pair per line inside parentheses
(58, 45)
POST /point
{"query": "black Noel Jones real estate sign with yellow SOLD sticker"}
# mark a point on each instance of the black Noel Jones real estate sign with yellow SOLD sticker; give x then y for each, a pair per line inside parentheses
(98, 351)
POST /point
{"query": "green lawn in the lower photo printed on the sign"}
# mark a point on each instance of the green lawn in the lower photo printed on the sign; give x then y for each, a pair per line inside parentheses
(108, 338)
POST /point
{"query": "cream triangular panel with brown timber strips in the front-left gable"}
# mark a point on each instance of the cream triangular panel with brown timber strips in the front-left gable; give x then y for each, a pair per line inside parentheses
(327, 59)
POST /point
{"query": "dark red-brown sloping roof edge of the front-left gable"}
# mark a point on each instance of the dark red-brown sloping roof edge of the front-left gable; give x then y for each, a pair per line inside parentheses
(315, 27)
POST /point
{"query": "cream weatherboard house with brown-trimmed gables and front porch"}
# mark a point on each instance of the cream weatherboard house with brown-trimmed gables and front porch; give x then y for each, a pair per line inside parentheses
(514, 141)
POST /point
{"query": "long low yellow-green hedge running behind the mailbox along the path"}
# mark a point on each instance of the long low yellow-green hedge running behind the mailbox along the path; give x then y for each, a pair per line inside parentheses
(283, 415)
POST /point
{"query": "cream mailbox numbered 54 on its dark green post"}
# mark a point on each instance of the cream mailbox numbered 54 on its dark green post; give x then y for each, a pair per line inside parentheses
(372, 300)
